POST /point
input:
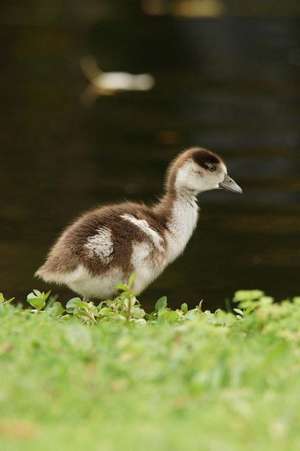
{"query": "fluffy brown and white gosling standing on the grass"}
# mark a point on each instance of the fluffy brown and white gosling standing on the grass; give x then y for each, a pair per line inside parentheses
(104, 246)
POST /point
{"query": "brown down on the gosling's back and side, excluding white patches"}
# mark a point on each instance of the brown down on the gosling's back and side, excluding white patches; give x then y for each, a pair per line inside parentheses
(69, 250)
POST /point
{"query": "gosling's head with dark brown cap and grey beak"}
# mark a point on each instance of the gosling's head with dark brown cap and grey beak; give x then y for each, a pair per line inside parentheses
(197, 170)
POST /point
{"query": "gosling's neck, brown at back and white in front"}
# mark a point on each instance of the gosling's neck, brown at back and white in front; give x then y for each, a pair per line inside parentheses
(179, 212)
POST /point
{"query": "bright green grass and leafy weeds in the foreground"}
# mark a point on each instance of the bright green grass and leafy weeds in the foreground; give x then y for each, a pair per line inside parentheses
(172, 380)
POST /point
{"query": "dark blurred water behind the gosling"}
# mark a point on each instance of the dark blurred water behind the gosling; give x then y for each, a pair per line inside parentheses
(227, 77)
